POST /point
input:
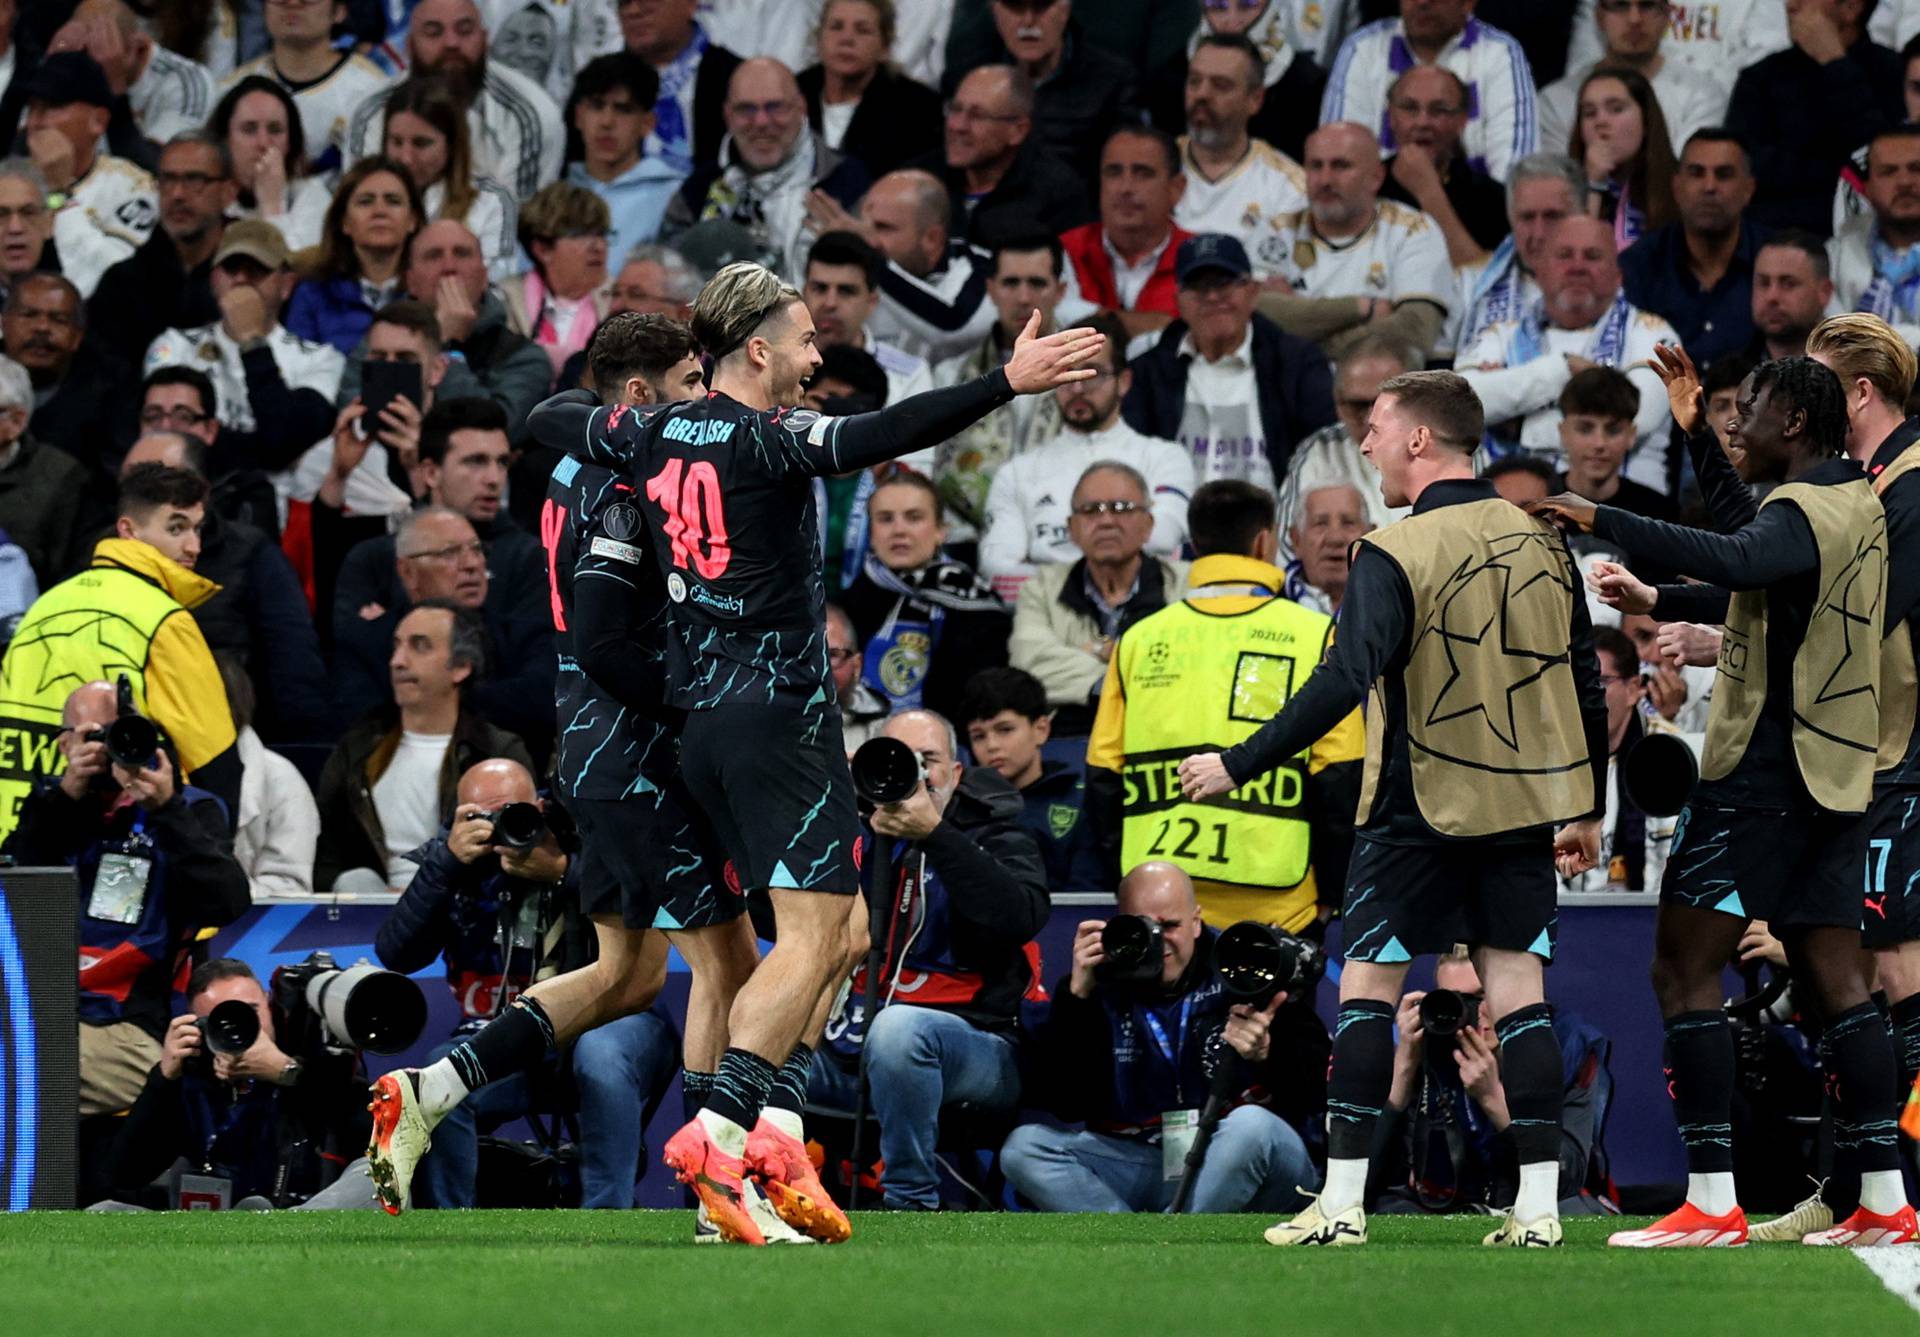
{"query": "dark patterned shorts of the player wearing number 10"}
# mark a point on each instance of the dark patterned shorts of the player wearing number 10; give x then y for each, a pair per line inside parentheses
(773, 779)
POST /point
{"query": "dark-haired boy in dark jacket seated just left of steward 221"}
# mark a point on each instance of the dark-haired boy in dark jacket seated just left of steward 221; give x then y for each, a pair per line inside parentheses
(1009, 727)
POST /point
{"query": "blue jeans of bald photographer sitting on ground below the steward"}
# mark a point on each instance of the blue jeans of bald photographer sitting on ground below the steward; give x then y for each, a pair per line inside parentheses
(1255, 1165)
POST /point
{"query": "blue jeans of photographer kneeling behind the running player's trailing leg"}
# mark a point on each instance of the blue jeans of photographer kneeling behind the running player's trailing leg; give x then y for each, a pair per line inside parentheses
(619, 1073)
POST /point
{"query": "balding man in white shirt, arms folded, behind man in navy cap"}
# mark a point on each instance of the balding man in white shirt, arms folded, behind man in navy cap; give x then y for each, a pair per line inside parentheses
(1353, 264)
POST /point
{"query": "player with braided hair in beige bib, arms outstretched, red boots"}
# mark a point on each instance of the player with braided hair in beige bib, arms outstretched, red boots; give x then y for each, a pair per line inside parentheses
(1788, 767)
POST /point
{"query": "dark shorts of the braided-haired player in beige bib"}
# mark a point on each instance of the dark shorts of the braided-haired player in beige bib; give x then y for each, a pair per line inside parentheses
(1760, 863)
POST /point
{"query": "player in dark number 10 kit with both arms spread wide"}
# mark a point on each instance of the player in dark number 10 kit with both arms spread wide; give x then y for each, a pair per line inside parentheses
(727, 493)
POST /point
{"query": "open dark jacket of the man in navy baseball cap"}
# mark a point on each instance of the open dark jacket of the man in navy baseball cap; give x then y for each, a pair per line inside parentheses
(1293, 376)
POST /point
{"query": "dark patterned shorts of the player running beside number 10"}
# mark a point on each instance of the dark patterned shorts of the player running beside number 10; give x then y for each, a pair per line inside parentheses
(654, 865)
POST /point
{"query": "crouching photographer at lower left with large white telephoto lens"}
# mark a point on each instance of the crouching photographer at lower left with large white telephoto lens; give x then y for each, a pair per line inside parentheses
(264, 1098)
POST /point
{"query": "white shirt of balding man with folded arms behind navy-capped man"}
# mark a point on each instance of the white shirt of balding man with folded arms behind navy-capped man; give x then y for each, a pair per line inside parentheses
(1401, 256)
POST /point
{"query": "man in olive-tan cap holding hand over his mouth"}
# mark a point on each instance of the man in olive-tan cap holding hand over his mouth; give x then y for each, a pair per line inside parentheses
(274, 389)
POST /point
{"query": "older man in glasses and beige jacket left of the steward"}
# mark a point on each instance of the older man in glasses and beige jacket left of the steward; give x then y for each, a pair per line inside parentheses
(1070, 616)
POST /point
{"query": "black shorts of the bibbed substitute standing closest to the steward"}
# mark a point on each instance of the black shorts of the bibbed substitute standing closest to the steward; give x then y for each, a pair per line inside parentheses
(1406, 902)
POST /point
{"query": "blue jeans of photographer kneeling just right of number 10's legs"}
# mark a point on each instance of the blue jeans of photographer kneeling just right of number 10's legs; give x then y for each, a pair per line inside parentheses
(919, 1061)
